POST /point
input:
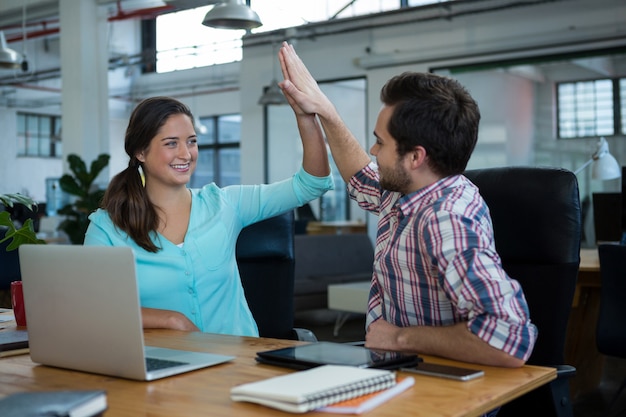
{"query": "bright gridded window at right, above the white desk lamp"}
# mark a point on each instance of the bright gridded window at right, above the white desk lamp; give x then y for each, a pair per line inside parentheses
(587, 108)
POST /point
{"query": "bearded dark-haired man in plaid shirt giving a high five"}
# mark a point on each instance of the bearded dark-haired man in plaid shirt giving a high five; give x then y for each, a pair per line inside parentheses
(438, 286)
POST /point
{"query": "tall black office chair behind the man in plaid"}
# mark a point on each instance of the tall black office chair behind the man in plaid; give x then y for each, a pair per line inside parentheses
(537, 227)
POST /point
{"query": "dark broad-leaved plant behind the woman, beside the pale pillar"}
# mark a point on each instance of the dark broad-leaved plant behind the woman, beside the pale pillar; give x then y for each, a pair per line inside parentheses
(87, 198)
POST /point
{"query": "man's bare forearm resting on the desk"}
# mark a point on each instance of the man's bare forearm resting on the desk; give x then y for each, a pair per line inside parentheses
(454, 342)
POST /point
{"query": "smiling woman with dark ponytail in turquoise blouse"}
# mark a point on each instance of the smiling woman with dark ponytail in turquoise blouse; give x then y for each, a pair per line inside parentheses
(184, 239)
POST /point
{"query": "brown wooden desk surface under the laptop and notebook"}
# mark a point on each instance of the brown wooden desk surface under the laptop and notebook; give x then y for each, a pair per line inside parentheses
(206, 392)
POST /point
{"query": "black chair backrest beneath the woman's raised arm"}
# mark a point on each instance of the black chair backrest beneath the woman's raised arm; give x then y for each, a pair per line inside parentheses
(265, 256)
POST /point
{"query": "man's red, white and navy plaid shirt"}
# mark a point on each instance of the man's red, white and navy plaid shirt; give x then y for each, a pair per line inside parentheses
(436, 264)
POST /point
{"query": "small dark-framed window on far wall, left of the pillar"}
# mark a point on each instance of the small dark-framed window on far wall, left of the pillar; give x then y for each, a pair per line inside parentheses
(39, 135)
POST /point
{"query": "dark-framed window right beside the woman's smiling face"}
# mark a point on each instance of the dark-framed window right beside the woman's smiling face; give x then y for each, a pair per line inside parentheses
(218, 151)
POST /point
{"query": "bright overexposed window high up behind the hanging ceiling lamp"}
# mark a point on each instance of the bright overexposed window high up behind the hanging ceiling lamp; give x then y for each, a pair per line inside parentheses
(182, 42)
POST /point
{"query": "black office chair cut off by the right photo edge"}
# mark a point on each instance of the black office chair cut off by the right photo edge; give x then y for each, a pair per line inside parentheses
(610, 330)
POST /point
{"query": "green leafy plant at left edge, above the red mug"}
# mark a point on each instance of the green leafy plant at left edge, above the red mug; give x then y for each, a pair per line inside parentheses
(17, 234)
